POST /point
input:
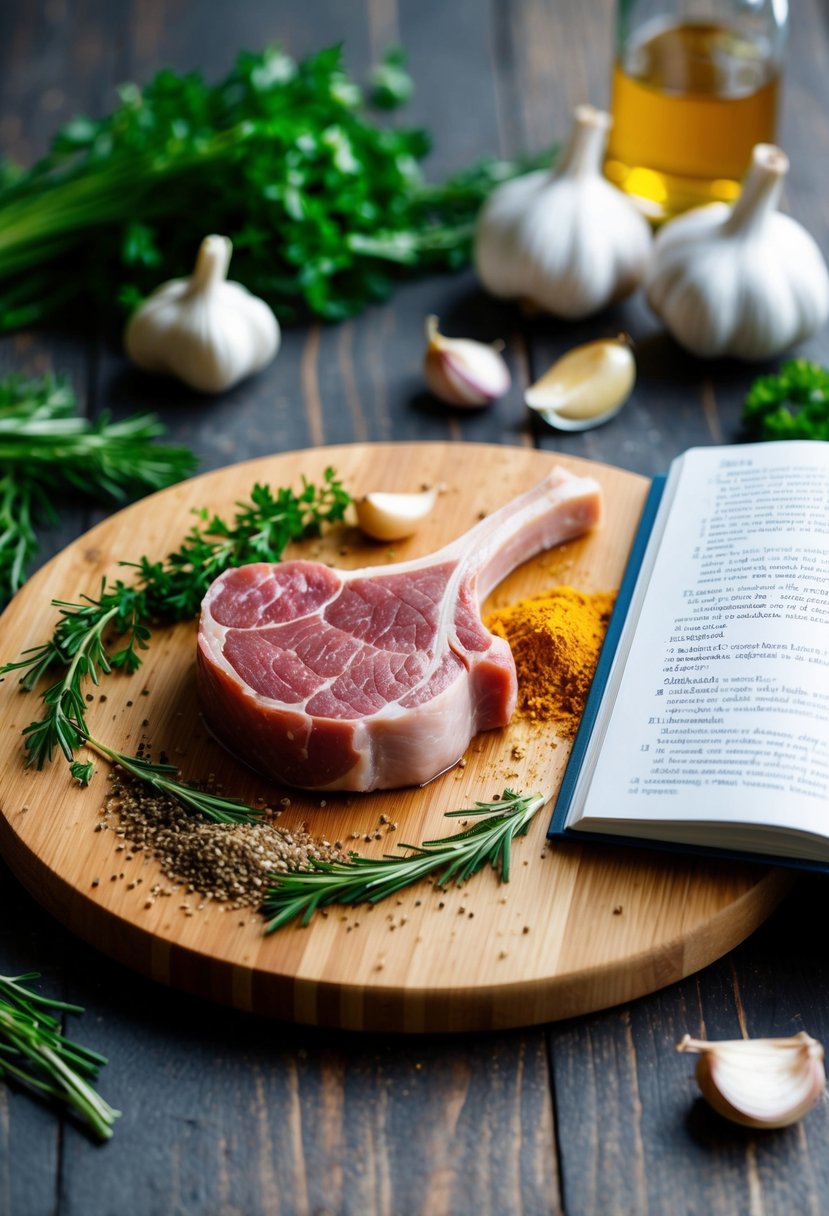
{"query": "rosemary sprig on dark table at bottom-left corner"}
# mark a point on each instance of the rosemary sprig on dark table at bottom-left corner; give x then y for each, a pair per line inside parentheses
(35, 1052)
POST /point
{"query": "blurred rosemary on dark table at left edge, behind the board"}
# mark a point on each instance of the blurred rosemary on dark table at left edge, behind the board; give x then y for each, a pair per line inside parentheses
(47, 449)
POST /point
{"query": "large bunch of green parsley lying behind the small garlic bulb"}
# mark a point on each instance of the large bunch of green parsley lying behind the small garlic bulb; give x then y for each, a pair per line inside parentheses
(325, 207)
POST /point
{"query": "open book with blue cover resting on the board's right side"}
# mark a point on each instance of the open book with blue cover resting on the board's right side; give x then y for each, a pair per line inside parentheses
(708, 722)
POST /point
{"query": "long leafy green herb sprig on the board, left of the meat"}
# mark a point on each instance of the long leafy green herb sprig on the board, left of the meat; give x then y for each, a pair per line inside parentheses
(162, 593)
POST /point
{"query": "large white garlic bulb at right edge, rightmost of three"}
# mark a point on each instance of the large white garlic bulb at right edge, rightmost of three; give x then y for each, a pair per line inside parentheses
(742, 282)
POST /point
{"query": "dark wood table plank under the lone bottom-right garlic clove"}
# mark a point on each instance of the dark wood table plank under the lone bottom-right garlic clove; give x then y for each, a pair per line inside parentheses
(633, 1130)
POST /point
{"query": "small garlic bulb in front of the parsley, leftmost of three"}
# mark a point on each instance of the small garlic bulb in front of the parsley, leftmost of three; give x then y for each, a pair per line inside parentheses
(205, 330)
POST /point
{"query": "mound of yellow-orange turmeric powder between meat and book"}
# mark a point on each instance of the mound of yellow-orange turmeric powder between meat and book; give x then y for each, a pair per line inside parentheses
(556, 639)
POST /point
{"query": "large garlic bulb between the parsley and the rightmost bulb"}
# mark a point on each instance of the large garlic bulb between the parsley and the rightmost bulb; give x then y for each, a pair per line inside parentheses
(567, 240)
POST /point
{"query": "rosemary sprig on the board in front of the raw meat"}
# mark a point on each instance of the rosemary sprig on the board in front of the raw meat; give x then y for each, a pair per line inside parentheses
(363, 880)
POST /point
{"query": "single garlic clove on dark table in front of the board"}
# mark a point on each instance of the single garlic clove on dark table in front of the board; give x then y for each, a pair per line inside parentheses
(760, 1083)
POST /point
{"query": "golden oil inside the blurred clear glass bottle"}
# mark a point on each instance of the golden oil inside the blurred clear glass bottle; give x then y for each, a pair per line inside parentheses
(690, 103)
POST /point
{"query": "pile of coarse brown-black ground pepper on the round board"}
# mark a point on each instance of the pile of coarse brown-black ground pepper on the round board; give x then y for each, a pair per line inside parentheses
(228, 863)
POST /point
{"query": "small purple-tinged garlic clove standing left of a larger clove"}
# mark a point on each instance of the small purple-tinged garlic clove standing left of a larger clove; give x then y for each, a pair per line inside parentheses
(461, 371)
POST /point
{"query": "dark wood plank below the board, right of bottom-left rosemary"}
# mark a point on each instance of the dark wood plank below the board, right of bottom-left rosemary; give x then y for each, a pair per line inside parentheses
(232, 1113)
